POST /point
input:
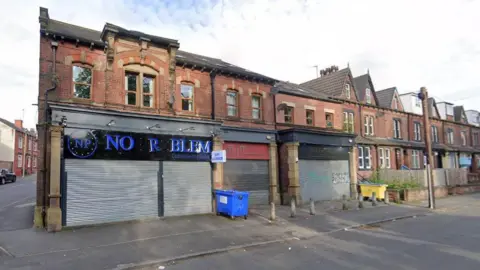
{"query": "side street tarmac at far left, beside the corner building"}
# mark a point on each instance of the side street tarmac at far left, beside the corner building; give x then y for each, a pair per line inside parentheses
(16, 204)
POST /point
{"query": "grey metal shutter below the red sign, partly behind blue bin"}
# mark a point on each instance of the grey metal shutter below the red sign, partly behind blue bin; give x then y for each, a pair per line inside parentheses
(248, 175)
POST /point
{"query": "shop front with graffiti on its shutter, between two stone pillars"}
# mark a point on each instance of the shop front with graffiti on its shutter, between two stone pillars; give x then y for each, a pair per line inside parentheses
(316, 165)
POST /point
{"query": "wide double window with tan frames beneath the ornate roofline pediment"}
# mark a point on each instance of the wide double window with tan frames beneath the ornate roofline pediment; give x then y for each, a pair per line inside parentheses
(137, 95)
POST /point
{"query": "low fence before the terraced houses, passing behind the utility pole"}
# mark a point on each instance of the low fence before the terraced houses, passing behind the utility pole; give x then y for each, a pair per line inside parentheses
(441, 177)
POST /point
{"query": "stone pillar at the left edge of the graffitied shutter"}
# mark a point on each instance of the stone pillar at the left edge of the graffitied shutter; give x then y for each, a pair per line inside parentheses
(293, 173)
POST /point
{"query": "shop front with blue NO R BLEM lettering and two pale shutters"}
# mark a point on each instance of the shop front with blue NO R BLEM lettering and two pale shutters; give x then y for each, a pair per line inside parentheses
(133, 168)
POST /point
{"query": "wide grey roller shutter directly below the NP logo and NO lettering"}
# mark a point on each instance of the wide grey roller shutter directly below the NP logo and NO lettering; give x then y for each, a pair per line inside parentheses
(100, 191)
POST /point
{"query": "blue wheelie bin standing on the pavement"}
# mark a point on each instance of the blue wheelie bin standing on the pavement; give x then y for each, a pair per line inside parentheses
(232, 203)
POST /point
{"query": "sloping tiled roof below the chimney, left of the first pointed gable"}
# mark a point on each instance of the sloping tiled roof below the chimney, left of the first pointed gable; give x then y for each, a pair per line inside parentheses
(331, 84)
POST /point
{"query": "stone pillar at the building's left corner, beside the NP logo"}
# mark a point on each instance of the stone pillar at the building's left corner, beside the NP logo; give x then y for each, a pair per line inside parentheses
(54, 213)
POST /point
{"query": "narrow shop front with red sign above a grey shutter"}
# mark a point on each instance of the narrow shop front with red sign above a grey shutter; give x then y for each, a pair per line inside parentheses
(251, 163)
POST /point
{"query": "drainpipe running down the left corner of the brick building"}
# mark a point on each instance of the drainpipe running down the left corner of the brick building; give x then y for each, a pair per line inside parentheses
(45, 130)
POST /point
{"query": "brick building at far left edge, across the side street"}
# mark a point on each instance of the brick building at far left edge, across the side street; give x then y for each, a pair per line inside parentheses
(18, 145)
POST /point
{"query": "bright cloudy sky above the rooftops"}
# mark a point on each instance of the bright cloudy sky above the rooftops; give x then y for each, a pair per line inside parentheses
(403, 43)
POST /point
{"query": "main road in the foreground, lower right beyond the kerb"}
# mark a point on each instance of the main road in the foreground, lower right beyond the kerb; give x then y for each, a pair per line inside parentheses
(444, 240)
